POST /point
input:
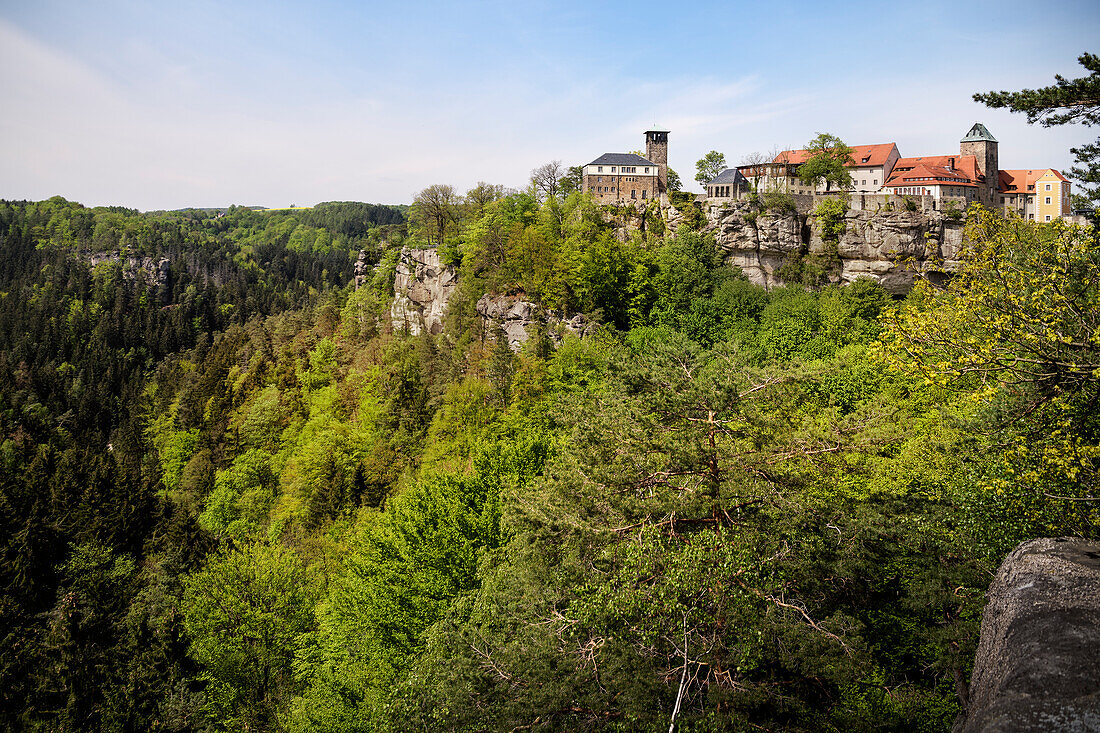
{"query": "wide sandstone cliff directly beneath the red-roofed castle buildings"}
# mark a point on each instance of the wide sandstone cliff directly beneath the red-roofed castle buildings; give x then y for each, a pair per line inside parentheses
(890, 247)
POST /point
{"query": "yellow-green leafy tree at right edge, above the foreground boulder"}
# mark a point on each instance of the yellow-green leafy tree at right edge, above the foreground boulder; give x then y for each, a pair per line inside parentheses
(1016, 331)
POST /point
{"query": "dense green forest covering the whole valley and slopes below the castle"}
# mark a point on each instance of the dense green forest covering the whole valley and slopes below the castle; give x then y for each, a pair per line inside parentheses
(234, 499)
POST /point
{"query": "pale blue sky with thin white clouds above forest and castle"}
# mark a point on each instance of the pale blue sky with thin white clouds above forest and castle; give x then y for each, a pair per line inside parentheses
(208, 104)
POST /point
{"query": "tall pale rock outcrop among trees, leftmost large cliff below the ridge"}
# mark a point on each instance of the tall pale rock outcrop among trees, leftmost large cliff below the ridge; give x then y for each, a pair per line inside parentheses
(422, 289)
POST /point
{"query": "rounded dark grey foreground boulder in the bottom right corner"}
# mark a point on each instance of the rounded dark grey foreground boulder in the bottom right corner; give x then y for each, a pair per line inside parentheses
(1038, 666)
